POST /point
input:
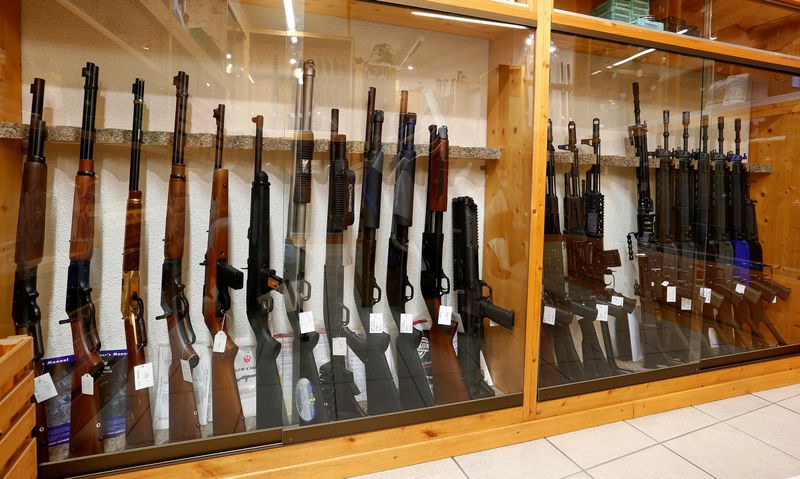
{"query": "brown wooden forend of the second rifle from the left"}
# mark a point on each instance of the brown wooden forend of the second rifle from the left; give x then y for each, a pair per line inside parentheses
(82, 235)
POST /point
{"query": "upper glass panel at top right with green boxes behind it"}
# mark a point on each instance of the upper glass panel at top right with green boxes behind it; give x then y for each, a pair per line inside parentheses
(768, 25)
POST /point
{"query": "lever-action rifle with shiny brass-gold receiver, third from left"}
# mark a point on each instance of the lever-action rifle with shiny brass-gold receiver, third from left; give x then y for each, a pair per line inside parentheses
(139, 422)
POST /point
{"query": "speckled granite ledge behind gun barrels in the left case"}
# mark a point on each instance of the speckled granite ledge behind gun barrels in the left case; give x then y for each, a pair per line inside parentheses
(115, 136)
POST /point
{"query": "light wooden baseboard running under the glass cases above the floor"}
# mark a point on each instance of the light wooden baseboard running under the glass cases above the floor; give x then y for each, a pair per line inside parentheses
(381, 450)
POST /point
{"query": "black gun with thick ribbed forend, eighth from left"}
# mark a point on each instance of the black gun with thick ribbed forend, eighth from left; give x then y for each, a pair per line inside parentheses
(338, 387)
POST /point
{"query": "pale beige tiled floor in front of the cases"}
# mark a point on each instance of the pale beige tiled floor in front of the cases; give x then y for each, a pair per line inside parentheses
(751, 436)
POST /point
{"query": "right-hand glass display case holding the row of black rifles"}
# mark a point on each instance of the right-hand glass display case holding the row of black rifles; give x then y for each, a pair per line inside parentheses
(662, 255)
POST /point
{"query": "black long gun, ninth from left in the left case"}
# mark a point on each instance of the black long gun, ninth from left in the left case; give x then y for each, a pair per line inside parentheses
(382, 394)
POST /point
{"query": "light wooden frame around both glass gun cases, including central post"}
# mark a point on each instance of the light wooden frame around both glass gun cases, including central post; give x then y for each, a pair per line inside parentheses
(360, 453)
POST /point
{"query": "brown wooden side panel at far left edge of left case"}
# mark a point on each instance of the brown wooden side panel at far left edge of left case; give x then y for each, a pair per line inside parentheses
(10, 110)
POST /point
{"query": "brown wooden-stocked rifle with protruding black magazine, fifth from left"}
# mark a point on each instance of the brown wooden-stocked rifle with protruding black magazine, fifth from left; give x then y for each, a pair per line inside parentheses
(219, 278)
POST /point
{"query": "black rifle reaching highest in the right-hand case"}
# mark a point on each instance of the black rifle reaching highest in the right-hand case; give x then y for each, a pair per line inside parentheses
(647, 287)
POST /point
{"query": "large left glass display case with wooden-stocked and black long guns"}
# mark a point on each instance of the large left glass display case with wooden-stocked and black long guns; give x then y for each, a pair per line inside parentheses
(365, 260)
